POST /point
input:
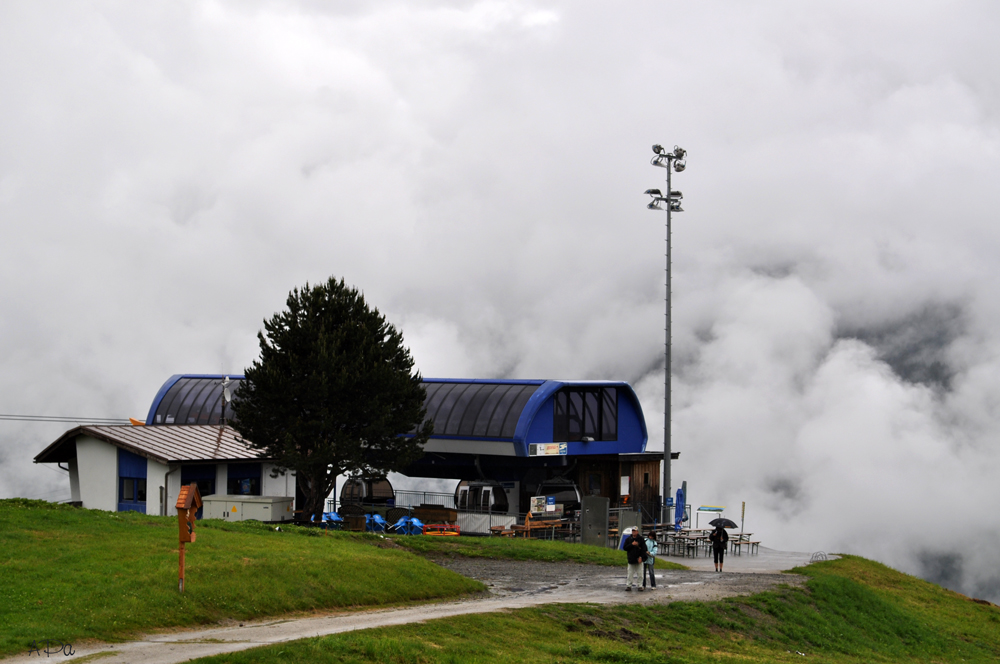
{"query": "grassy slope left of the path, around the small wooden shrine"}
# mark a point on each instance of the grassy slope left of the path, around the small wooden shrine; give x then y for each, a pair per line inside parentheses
(70, 574)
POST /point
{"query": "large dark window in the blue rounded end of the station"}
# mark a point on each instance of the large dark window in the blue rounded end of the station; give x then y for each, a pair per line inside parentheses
(585, 412)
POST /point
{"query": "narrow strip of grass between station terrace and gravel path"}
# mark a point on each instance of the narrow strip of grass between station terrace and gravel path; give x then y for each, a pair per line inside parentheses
(520, 549)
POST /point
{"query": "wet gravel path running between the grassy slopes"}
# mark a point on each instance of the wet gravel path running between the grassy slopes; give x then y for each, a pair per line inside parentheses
(513, 585)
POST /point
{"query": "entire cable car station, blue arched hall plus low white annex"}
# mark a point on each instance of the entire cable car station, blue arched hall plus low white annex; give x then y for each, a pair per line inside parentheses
(516, 435)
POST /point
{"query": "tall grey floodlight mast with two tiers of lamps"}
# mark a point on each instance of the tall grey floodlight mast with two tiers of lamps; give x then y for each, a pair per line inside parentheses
(672, 161)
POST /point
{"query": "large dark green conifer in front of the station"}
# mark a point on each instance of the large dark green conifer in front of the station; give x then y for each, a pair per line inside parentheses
(334, 391)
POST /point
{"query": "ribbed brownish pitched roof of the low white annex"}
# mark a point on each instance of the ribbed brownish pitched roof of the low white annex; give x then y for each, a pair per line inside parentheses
(174, 444)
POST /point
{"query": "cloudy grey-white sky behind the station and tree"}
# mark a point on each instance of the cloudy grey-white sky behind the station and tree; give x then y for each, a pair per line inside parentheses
(170, 170)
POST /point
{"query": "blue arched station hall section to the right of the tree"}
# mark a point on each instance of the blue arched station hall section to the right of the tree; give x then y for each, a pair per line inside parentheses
(527, 434)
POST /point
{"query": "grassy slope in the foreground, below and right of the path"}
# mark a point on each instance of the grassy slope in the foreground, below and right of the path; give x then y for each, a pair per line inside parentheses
(852, 610)
